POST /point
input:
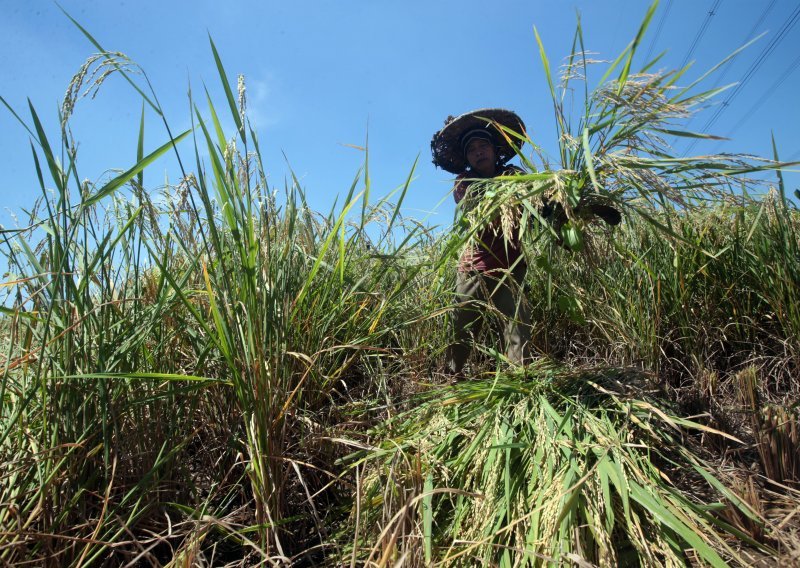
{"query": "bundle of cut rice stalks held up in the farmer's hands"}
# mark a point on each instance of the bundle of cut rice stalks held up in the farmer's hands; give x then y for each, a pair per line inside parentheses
(613, 153)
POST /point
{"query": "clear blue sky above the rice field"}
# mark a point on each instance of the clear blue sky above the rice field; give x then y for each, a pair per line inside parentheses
(322, 74)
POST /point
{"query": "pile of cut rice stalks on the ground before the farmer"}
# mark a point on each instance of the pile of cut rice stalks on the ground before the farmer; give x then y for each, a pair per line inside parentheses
(543, 468)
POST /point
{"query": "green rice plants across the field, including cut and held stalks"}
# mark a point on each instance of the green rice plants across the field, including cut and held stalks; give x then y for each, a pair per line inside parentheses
(215, 374)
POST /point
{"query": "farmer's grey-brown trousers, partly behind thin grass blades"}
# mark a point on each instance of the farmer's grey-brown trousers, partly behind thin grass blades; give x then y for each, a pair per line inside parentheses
(477, 293)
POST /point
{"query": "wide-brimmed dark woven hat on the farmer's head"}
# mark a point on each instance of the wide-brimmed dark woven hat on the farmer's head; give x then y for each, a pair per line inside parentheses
(446, 144)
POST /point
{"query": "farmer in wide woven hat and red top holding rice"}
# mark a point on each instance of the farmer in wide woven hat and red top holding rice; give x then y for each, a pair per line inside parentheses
(490, 271)
